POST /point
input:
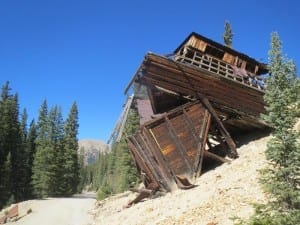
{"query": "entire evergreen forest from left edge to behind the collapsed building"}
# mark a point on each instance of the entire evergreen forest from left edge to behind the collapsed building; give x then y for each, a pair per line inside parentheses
(41, 159)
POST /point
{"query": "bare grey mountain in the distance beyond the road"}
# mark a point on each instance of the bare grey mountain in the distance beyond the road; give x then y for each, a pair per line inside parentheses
(92, 148)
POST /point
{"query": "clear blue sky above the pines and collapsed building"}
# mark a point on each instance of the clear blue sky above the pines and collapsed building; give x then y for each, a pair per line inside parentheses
(87, 51)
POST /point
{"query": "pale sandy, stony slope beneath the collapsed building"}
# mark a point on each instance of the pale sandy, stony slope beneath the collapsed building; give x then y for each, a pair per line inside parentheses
(221, 193)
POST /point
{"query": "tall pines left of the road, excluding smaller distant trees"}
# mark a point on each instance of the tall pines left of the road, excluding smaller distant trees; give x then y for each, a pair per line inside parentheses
(38, 160)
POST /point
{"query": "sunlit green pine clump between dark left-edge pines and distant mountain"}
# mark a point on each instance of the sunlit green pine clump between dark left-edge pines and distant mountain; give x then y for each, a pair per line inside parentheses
(56, 166)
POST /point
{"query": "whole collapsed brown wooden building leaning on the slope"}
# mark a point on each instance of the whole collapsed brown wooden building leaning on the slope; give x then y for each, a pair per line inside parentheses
(197, 99)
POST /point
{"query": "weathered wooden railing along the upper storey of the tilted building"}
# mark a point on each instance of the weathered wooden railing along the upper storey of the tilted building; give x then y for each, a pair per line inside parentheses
(213, 65)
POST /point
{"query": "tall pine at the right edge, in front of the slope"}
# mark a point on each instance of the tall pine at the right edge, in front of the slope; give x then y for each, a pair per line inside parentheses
(282, 178)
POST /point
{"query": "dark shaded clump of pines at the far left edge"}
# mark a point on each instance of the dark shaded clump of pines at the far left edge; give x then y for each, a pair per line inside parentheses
(15, 179)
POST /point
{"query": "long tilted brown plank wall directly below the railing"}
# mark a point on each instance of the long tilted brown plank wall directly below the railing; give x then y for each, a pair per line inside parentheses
(187, 80)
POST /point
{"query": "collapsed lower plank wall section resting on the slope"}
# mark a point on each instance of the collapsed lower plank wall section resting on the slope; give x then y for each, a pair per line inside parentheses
(169, 150)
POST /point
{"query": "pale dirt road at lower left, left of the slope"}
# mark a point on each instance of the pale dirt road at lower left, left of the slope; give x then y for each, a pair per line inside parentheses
(62, 211)
